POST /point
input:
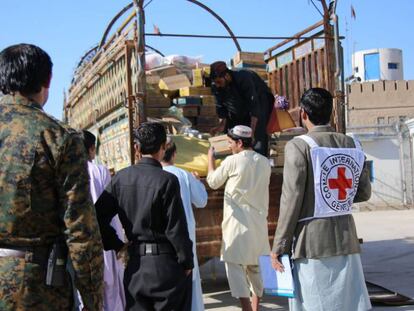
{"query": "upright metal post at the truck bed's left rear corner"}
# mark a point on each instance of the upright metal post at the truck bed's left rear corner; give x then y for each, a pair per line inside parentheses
(140, 115)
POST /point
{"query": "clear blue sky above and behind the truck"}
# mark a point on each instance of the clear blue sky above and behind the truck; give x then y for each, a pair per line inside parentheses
(67, 29)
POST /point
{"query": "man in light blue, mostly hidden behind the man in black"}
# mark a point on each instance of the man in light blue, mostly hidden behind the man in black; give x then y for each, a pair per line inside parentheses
(192, 192)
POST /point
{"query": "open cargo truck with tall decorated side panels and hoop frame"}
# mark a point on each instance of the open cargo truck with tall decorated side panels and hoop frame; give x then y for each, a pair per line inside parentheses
(111, 93)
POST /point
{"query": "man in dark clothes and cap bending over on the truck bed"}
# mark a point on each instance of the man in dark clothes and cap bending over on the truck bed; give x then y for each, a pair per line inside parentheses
(242, 98)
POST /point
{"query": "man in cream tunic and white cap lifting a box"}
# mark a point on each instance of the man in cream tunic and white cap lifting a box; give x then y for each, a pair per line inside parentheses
(246, 203)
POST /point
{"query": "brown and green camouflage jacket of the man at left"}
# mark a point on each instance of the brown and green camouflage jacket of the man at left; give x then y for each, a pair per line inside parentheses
(44, 191)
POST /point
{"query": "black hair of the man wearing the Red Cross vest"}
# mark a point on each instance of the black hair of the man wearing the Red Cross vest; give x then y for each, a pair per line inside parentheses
(317, 103)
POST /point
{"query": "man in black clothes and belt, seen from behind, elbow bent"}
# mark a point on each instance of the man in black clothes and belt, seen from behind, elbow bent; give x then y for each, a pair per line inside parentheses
(147, 200)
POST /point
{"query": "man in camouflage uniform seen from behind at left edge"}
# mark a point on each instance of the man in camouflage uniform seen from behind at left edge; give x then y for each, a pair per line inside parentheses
(44, 192)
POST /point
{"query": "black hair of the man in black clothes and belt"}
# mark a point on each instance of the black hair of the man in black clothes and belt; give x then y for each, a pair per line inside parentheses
(150, 135)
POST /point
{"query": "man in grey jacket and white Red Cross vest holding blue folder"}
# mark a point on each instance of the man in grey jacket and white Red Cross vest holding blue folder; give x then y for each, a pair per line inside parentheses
(324, 173)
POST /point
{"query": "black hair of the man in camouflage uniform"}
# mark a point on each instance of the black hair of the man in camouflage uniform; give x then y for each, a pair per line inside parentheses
(24, 68)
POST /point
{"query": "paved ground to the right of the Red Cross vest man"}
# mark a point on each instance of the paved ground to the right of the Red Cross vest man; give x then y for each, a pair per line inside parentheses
(388, 249)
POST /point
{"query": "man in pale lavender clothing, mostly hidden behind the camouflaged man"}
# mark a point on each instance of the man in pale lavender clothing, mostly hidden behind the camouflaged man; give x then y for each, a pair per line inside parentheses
(114, 297)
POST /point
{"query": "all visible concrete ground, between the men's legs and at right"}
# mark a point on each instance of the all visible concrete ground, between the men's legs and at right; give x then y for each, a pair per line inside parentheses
(387, 258)
